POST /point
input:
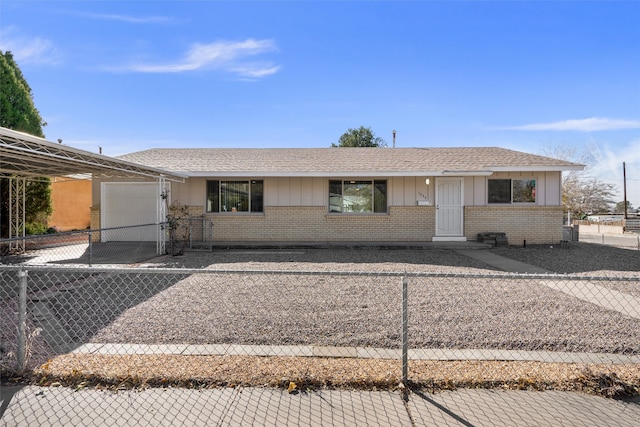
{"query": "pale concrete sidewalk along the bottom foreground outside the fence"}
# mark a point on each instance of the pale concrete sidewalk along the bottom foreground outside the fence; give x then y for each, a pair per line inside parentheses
(59, 406)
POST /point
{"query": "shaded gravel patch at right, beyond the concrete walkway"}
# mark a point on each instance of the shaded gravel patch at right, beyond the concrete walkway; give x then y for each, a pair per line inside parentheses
(578, 257)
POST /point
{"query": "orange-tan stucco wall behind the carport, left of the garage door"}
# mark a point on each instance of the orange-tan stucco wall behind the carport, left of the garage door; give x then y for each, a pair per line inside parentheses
(71, 200)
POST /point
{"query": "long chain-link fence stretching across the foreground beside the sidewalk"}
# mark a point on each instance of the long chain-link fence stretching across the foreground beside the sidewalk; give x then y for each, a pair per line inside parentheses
(195, 329)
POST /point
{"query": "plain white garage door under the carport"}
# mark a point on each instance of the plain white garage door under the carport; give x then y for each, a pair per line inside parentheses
(126, 204)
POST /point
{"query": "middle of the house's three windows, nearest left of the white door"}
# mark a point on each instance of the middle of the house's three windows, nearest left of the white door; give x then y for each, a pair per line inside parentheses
(358, 196)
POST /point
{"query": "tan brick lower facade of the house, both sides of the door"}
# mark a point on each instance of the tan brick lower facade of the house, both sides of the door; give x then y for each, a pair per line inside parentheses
(536, 225)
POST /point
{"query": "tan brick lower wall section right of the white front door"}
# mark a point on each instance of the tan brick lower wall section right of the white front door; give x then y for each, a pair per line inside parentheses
(535, 224)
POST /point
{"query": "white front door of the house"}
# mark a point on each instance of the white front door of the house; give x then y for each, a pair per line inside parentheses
(449, 209)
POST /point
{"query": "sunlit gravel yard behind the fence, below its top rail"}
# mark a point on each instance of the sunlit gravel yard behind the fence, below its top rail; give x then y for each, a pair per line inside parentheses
(365, 311)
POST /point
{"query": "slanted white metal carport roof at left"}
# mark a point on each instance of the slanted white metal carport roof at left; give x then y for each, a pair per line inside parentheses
(28, 156)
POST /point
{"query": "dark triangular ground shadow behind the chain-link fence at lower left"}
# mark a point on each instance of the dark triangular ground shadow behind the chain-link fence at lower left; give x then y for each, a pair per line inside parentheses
(68, 307)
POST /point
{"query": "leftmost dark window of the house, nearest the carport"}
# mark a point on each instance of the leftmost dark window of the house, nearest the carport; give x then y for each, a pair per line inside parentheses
(235, 196)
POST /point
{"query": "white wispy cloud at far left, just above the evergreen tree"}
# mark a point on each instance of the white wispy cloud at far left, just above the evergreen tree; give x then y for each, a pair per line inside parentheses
(34, 50)
